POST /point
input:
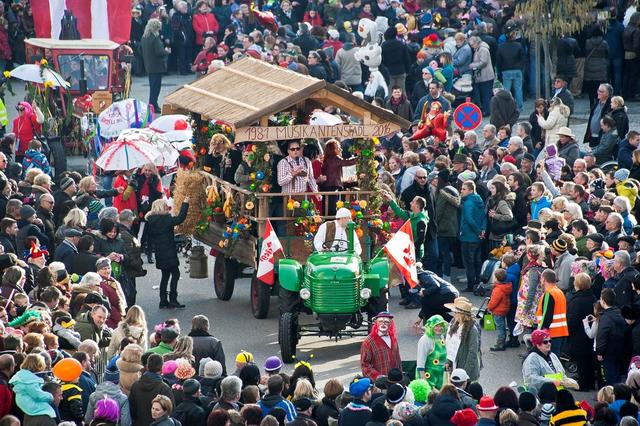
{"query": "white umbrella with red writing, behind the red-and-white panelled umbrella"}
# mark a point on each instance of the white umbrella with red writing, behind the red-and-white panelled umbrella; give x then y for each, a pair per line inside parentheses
(122, 115)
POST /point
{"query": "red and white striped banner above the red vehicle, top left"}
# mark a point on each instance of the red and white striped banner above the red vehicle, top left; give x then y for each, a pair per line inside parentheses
(97, 19)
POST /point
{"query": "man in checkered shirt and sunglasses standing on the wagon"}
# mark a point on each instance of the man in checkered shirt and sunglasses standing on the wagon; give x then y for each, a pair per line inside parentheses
(294, 171)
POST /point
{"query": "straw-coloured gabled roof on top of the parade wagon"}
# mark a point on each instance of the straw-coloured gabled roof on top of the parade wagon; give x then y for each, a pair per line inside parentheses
(249, 89)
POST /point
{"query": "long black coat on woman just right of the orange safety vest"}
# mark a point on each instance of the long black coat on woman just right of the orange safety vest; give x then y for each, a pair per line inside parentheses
(579, 306)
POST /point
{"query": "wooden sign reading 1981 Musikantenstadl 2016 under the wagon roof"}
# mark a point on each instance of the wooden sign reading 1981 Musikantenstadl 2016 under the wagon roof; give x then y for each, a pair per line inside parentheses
(303, 131)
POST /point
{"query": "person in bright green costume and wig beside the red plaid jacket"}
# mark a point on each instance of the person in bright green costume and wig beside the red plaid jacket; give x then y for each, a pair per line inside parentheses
(432, 352)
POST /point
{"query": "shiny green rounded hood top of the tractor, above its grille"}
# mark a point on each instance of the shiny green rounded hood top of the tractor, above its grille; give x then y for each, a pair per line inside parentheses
(333, 266)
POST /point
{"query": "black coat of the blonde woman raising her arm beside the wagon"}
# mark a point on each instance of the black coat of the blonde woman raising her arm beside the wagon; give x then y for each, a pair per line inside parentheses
(161, 236)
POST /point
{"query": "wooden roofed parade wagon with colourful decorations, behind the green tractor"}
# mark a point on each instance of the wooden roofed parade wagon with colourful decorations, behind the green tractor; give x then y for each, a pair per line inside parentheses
(257, 105)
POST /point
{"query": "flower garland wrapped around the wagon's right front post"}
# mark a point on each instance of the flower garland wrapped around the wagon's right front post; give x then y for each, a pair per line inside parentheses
(367, 169)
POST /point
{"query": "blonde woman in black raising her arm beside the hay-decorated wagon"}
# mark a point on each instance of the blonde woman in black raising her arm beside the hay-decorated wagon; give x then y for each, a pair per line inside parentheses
(161, 236)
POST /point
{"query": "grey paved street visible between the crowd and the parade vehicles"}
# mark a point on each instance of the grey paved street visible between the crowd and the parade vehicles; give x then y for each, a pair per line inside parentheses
(234, 324)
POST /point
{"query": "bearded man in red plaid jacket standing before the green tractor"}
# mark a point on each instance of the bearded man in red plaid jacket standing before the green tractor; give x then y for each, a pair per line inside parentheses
(379, 352)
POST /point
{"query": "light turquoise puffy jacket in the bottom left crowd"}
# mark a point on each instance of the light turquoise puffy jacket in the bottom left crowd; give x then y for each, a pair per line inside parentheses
(30, 397)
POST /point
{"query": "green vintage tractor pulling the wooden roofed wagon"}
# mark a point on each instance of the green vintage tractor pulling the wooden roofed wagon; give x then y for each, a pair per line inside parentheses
(335, 286)
